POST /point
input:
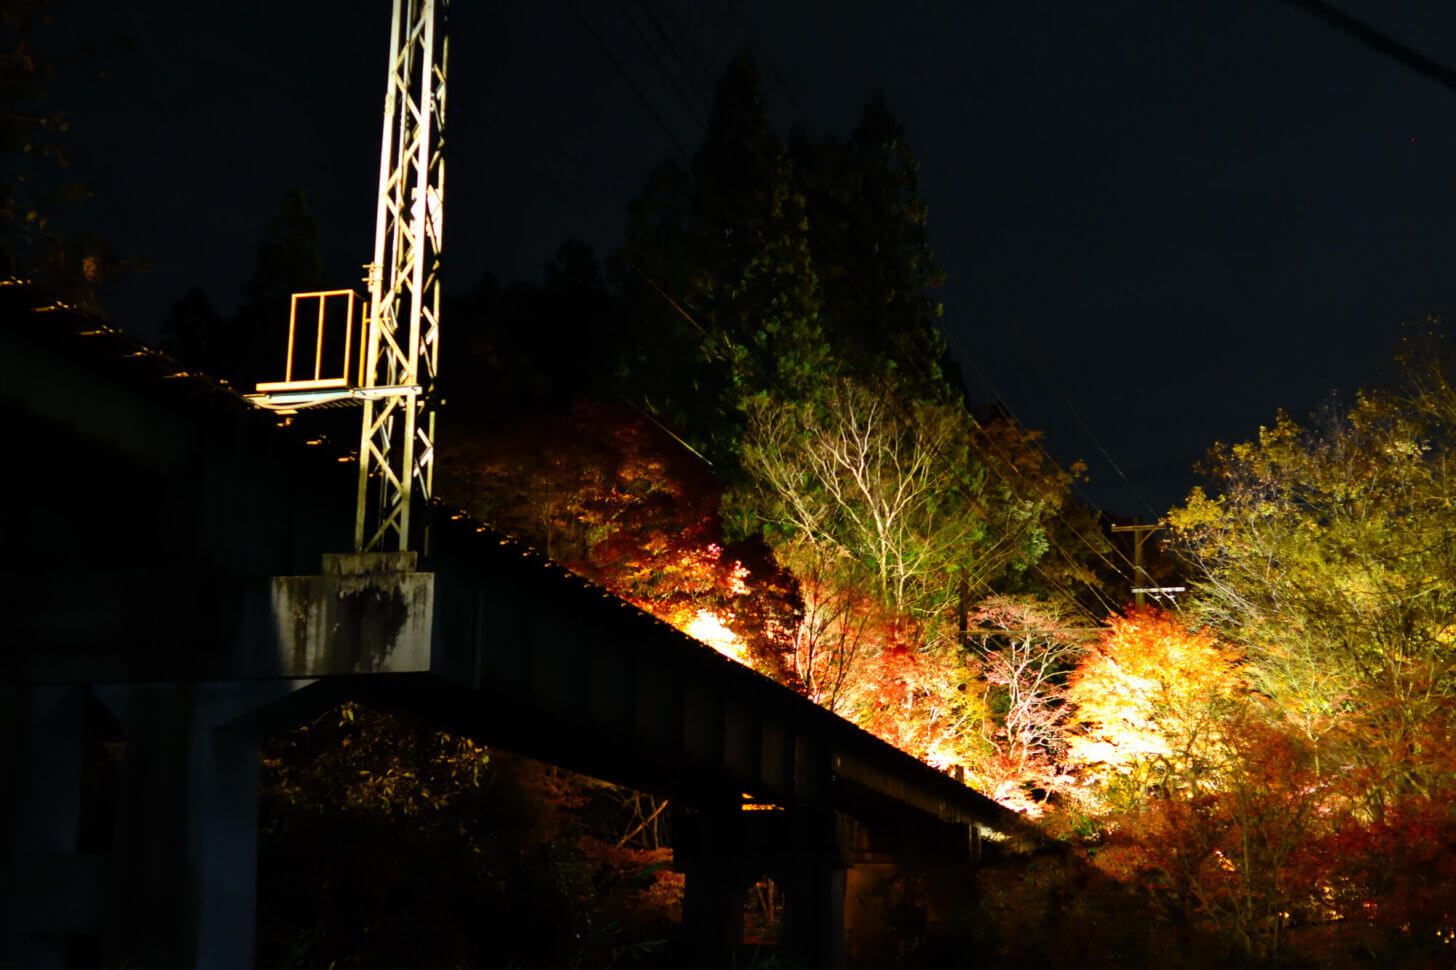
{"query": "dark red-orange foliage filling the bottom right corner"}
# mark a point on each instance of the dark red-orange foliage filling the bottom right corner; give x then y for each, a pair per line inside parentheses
(1276, 848)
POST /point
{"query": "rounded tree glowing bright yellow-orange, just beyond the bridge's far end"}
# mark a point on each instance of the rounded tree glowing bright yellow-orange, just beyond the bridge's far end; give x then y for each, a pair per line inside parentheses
(1150, 697)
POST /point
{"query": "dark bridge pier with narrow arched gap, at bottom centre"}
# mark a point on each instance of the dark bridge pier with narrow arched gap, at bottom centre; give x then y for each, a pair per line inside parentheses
(721, 853)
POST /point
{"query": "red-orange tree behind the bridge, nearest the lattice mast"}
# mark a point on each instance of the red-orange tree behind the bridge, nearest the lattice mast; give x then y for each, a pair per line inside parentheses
(609, 494)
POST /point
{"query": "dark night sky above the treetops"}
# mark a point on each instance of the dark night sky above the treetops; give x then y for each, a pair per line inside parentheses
(1161, 221)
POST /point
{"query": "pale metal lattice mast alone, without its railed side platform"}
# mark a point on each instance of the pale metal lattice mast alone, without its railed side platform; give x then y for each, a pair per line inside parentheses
(403, 344)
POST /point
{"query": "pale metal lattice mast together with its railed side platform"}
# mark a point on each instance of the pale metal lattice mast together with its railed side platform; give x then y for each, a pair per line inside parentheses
(394, 378)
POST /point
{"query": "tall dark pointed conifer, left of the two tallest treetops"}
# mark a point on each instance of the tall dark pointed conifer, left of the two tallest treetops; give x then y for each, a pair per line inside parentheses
(719, 273)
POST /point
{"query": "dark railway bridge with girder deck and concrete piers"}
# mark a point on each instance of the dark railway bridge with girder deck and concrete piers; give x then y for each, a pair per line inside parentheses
(174, 561)
